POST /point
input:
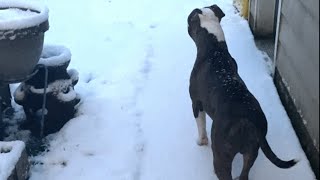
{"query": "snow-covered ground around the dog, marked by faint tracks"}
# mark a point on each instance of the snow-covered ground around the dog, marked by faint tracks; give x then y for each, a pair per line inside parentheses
(135, 121)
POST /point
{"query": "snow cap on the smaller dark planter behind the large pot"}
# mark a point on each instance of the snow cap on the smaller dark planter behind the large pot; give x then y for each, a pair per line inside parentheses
(54, 55)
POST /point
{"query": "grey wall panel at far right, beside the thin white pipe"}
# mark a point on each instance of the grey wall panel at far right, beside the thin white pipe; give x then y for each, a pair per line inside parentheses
(297, 58)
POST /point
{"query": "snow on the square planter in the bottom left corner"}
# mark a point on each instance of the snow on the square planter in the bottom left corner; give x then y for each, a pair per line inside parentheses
(10, 153)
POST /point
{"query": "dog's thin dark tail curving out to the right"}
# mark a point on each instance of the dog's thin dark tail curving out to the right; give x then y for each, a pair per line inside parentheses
(272, 157)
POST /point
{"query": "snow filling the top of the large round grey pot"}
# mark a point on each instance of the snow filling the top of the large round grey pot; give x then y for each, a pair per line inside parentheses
(13, 18)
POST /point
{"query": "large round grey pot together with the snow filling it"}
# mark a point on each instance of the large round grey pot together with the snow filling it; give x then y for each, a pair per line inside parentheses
(22, 28)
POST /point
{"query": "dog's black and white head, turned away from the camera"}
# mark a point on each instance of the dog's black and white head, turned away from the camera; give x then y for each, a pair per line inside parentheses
(205, 21)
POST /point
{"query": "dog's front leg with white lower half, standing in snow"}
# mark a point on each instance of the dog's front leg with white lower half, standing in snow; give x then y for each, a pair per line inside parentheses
(200, 116)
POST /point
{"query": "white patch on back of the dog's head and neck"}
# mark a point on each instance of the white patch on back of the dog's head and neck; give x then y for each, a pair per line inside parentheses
(210, 21)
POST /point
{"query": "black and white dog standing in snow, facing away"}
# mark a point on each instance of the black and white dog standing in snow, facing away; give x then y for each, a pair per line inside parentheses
(239, 124)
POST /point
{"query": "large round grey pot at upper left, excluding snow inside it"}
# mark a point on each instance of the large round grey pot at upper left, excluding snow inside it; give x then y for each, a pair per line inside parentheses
(20, 45)
